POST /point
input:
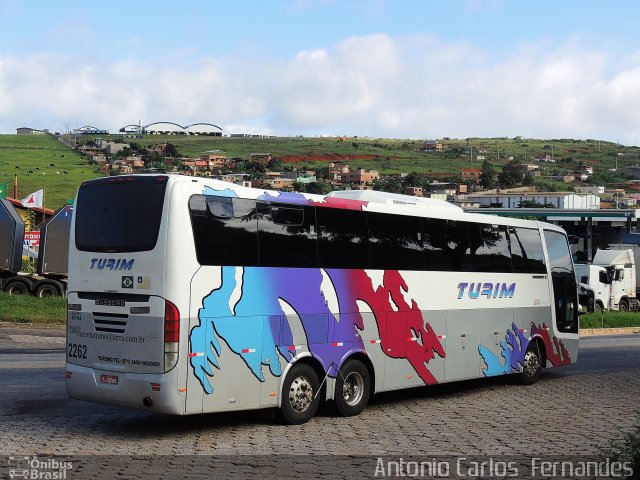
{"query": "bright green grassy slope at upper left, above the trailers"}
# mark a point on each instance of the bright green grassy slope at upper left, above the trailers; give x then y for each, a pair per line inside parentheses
(40, 161)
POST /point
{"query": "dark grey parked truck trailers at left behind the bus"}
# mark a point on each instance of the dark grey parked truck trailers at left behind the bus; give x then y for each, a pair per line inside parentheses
(51, 276)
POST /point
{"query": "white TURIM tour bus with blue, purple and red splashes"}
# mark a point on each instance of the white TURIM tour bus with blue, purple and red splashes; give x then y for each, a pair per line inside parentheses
(190, 295)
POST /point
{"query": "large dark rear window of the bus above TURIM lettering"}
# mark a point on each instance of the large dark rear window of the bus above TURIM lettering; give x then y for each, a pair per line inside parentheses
(119, 214)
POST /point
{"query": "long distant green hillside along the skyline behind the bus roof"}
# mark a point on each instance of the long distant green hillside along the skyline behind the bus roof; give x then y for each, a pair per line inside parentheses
(396, 155)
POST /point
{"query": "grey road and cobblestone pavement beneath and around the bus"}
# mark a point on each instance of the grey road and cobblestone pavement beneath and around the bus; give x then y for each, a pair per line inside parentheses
(571, 411)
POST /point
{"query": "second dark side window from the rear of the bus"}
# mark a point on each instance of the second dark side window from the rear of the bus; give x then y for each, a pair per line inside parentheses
(287, 235)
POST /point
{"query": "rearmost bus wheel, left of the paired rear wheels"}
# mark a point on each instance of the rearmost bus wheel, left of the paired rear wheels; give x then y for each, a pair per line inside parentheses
(300, 398)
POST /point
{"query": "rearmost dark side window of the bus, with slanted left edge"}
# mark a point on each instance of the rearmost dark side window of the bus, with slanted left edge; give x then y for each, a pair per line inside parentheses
(224, 230)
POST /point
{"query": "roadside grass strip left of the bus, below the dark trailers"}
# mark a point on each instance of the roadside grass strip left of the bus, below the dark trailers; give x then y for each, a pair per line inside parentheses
(28, 309)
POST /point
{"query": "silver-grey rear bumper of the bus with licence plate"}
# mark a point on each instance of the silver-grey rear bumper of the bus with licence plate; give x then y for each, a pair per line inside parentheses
(153, 392)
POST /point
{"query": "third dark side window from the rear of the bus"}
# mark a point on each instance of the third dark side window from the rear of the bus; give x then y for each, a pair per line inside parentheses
(342, 238)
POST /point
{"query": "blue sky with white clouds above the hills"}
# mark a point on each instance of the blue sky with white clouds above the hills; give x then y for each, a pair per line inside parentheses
(380, 68)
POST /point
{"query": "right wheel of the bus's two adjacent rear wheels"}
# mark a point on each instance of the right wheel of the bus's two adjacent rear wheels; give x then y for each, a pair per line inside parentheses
(353, 387)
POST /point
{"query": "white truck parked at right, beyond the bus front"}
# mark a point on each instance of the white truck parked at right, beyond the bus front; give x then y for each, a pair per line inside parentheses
(612, 276)
